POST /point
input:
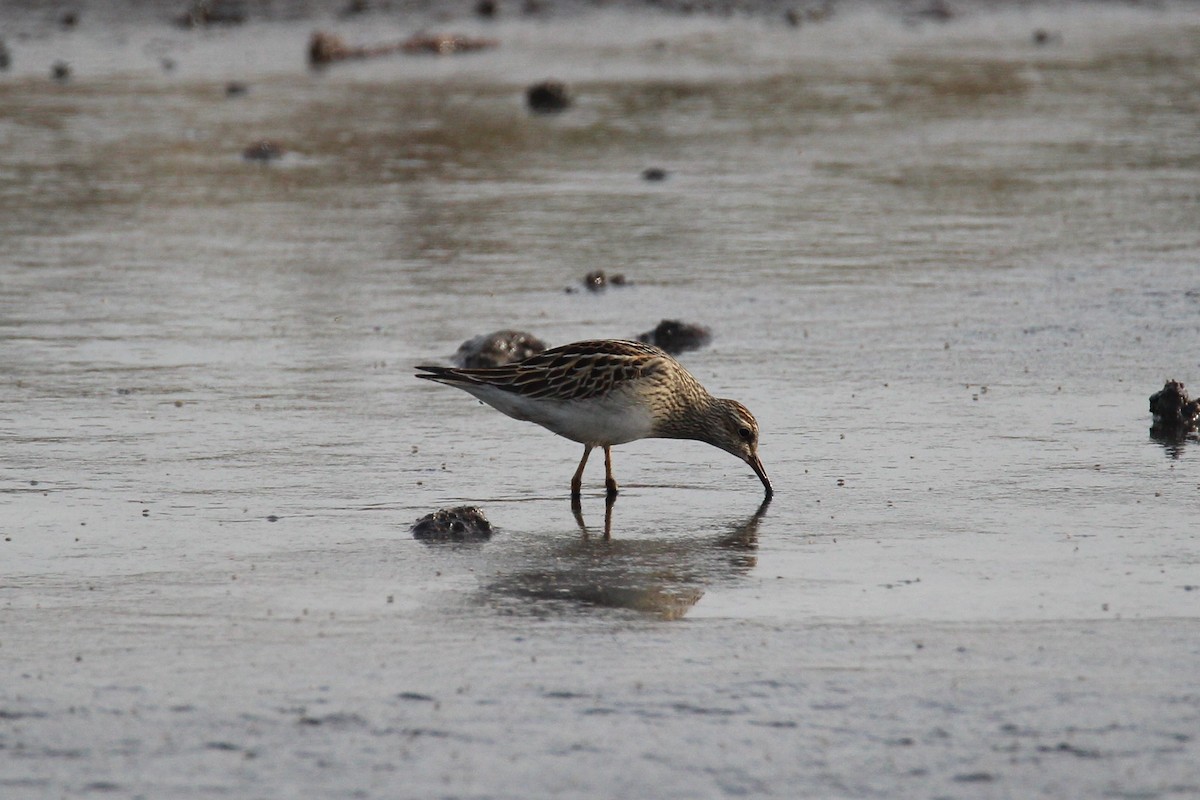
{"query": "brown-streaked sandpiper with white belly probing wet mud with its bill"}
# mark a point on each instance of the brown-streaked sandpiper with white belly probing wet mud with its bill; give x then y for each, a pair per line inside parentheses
(607, 393)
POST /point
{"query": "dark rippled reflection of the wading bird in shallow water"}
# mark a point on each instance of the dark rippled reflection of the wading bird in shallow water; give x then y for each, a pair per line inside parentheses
(662, 578)
